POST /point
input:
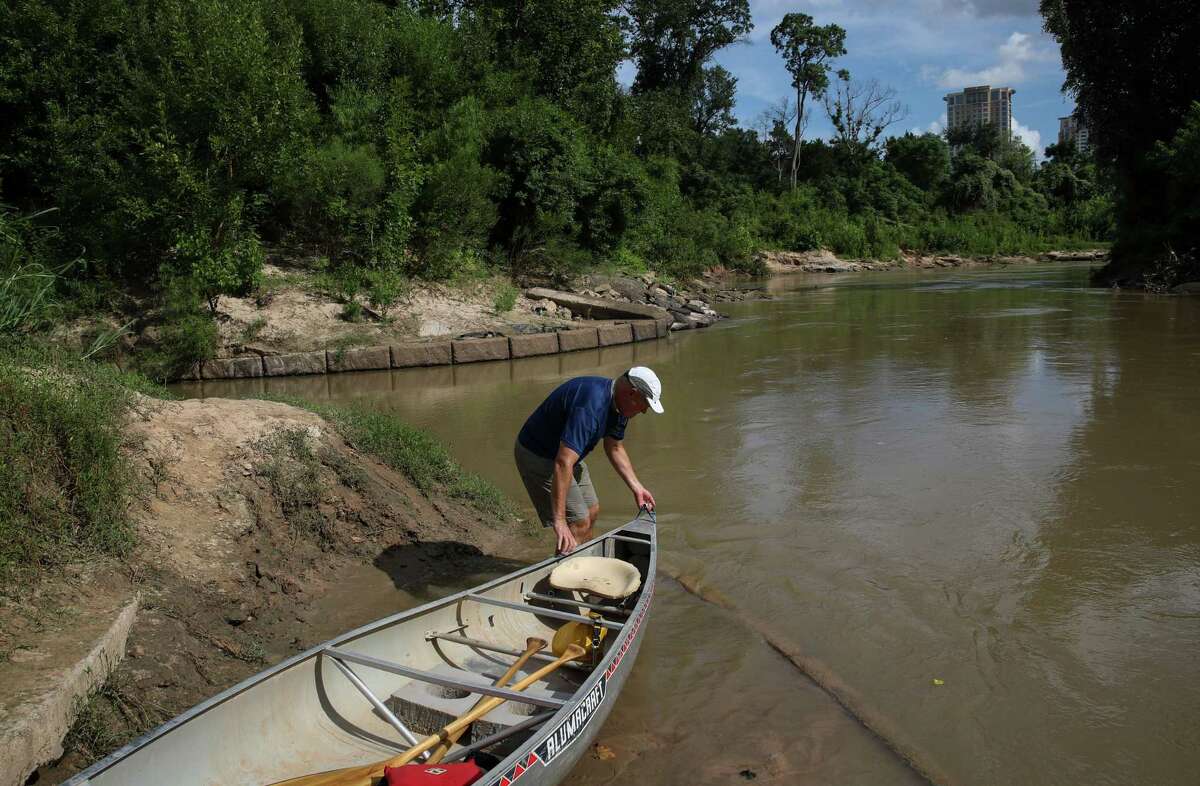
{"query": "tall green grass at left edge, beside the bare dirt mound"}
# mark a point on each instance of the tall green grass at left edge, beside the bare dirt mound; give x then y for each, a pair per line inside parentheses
(67, 488)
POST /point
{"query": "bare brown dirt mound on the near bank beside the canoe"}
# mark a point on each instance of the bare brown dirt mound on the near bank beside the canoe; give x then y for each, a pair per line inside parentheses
(231, 571)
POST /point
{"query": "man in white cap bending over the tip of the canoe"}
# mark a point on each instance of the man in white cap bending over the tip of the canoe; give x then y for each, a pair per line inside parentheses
(563, 430)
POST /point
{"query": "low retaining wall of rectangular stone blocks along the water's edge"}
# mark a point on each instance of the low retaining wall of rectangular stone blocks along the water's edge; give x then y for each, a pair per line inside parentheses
(435, 353)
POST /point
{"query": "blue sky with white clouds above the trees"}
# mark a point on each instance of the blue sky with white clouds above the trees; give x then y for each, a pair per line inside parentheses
(925, 50)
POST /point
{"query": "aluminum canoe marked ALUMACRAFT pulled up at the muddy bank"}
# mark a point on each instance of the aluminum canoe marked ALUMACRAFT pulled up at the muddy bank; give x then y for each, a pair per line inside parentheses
(356, 699)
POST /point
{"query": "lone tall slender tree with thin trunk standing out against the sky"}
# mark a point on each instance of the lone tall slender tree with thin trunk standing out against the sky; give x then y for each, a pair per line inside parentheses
(807, 49)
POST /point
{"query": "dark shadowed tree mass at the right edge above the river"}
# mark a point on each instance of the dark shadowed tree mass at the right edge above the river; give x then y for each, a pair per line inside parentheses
(1136, 75)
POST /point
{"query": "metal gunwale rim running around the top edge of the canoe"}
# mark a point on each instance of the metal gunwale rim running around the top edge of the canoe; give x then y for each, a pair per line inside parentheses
(603, 670)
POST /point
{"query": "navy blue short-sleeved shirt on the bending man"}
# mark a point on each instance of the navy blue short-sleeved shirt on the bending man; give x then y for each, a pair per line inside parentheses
(579, 413)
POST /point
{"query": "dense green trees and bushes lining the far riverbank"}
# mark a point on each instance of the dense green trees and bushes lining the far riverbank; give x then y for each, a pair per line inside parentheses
(177, 141)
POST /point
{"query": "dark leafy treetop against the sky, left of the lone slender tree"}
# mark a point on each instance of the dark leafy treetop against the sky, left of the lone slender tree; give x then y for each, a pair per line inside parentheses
(673, 40)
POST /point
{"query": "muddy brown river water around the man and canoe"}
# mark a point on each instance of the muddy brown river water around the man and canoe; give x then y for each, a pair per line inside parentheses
(974, 496)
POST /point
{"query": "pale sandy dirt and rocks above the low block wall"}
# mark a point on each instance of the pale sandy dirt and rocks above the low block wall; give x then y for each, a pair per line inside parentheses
(298, 311)
